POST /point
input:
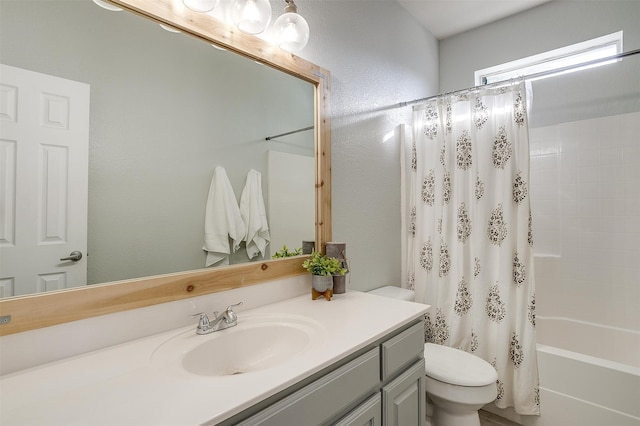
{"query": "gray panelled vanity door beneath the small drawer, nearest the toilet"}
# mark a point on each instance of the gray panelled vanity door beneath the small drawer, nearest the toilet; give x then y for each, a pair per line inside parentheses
(404, 399)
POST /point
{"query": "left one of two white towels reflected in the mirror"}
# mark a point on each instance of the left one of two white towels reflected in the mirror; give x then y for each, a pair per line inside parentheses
(222, 220)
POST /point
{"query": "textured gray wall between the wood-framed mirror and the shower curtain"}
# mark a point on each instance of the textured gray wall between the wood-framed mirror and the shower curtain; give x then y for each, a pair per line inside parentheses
(378, 56)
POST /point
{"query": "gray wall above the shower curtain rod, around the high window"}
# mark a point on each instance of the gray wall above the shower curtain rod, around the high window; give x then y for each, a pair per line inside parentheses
(549, 26)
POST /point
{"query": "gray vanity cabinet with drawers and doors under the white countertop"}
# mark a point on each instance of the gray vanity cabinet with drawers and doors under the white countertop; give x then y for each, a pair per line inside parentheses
(382, 386)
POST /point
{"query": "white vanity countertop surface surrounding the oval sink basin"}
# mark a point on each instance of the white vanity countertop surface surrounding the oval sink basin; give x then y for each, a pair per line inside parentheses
(121, 385)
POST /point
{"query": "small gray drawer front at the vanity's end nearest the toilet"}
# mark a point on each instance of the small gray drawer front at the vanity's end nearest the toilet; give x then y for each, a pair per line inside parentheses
(402, 350)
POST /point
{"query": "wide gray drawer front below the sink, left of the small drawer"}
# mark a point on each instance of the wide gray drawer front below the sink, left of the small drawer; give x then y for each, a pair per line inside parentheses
(317, 402)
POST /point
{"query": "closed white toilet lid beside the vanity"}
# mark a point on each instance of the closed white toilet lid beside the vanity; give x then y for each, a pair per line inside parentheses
(454, 366)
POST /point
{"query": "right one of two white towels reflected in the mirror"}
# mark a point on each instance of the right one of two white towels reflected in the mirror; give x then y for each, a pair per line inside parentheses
(254, 215)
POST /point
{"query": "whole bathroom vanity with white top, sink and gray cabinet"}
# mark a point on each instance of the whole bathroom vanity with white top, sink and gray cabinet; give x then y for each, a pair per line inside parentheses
(297, 361)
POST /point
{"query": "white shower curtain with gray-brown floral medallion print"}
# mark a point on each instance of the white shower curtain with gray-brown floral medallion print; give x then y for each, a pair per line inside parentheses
(469, 249)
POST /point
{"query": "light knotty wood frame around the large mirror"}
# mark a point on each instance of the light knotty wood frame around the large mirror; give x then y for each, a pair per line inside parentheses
(46, 309)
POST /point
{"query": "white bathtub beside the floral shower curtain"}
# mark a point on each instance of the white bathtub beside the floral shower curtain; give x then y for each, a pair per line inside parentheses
(589, 375)
